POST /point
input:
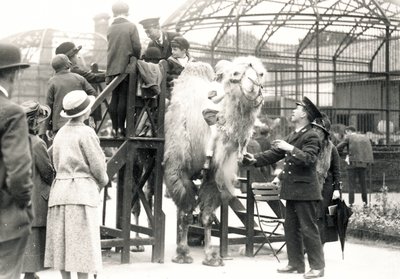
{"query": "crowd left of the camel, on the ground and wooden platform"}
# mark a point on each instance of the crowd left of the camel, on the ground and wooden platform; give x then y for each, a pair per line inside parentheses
(49, 199)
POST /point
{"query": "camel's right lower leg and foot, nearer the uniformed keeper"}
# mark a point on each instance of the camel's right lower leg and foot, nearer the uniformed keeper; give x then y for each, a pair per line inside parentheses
(212, 256)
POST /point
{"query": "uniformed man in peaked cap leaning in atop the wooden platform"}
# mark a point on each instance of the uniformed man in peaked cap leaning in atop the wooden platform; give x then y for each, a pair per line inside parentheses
(159, 39)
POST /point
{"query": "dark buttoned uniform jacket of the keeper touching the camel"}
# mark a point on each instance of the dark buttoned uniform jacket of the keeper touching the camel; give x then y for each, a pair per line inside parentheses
(299, 175)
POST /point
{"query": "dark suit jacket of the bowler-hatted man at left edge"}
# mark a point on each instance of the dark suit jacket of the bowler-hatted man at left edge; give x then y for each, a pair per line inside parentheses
(15, 172)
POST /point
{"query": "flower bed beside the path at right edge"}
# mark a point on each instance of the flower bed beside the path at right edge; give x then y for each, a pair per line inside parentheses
(380, 221)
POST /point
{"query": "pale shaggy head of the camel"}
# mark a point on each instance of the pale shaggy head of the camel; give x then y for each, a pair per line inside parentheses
(247, 76)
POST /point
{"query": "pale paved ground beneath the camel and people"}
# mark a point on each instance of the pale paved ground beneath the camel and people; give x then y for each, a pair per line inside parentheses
(362, 260)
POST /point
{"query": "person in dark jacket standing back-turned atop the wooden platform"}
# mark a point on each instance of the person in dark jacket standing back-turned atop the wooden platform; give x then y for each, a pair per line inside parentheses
(123, 43)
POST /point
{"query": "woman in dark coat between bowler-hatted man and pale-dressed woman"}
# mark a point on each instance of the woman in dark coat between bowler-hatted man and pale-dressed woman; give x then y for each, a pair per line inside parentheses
(42, 176)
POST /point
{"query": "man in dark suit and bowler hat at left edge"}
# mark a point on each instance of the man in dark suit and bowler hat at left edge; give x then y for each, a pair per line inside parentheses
(15, 169)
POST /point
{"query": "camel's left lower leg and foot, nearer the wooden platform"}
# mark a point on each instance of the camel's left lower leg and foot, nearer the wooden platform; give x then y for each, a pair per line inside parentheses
(182, 251)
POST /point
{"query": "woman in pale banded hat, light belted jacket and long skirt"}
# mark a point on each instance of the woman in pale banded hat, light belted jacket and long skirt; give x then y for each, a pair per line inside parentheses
(73, 239)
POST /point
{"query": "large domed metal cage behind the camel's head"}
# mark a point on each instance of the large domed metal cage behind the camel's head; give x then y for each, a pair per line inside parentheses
(327, 50)
